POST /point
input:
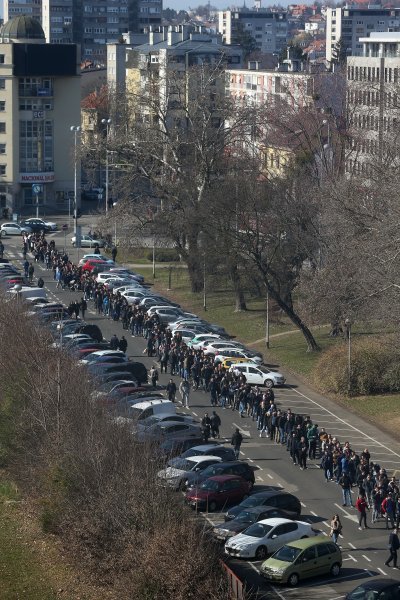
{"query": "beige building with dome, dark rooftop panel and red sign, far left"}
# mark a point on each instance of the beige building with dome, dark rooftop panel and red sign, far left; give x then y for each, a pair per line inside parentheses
(39, 102)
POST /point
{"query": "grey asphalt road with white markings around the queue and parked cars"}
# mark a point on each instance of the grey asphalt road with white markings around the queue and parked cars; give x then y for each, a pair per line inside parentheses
(364, 552)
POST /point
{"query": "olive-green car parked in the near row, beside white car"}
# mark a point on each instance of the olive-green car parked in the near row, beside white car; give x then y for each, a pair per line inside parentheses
(301, 559)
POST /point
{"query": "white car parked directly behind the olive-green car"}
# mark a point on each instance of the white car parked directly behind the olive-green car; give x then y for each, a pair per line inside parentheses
(265, 537)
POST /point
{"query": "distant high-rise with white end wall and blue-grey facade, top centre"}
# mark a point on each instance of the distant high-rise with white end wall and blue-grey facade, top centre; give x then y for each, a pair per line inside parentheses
(268, 29)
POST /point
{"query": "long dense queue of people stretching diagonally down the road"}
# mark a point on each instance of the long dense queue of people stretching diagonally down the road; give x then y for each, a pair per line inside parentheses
(228, 389)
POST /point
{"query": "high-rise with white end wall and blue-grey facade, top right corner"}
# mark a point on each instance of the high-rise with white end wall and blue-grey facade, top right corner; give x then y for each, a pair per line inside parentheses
(350, 23)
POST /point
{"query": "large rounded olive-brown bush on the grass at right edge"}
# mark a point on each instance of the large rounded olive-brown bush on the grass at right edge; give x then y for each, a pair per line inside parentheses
(375, 368)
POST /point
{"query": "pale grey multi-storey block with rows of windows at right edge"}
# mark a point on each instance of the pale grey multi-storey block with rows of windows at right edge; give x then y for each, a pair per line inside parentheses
(373, 86)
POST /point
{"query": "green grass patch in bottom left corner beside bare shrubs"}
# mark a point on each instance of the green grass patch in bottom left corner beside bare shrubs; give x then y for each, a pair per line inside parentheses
(22, 575)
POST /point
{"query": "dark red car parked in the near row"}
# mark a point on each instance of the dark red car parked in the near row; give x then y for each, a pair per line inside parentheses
(217, 492)
